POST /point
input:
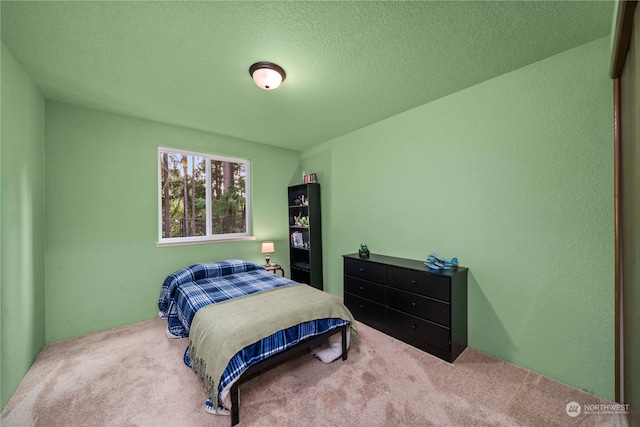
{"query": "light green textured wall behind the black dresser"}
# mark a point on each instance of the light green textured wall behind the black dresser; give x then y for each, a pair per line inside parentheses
(514, 176)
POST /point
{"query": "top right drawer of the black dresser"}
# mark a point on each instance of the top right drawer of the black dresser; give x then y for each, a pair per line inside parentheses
(420, 282)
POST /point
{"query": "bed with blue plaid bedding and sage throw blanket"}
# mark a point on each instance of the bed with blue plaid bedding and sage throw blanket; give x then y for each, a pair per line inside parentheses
(241, 320)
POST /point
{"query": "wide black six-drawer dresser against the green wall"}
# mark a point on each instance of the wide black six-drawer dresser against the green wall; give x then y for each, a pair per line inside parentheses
(405, 299)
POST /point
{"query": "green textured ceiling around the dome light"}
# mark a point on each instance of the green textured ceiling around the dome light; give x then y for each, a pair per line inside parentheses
(348, 64)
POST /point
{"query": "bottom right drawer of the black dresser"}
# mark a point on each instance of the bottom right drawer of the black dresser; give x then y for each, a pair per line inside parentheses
(419, 329)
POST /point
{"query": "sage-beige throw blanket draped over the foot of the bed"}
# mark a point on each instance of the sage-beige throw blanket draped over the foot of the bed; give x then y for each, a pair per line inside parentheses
(219, 331)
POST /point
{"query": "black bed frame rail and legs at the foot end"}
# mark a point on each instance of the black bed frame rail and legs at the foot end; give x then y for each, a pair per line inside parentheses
(277, 359)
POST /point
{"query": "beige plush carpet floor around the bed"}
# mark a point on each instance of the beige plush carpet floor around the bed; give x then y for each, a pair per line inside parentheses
(134, 376)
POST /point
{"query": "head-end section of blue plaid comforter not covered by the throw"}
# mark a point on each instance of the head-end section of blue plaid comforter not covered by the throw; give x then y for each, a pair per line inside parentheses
(186, 291)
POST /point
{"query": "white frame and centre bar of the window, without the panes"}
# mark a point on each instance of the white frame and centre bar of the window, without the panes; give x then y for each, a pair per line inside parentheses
(209, 237)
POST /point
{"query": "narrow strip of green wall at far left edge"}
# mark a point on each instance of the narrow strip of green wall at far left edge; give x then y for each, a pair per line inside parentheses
(22, 213)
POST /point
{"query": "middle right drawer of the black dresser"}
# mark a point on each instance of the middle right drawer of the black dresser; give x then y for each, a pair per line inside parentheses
(420, 306)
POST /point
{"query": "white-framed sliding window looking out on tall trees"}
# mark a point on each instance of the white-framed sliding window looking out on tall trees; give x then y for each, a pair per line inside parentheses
(202, 197)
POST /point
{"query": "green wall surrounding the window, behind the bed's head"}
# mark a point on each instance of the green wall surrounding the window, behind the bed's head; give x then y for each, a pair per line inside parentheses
(103, 268)
